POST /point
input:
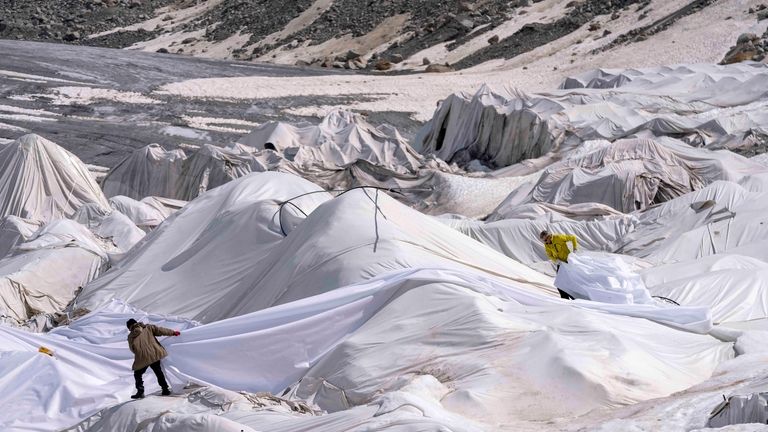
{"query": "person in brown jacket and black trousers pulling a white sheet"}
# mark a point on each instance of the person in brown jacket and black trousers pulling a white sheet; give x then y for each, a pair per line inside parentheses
(147, 351)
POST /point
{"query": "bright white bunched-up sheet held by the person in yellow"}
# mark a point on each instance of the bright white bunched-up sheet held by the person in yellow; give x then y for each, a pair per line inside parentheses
(601, 277)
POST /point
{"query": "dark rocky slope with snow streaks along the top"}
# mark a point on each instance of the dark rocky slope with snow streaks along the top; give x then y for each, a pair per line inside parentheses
(377, 35)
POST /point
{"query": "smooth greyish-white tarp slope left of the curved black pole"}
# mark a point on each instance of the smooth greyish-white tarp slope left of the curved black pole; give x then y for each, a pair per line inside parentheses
(202, 252)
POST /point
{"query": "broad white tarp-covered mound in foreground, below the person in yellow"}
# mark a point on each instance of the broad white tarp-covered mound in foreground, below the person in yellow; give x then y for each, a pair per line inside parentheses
(510, 351)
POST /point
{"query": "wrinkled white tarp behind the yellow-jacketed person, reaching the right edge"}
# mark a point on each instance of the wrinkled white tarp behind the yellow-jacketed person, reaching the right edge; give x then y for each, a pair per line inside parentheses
(721, 218)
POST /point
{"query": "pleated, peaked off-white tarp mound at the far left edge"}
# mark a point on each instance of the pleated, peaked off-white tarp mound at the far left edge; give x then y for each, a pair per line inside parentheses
(41, 181)
